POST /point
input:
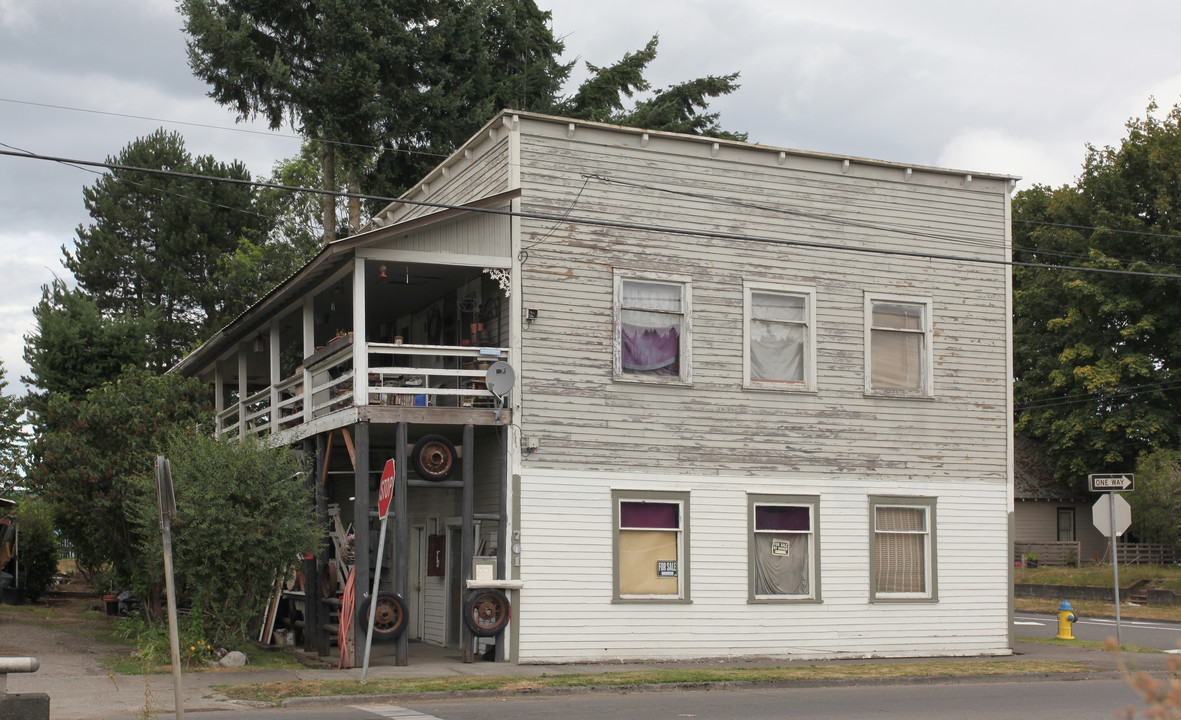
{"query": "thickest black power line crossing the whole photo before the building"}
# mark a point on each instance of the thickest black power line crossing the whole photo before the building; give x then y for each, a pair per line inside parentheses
(616, 225)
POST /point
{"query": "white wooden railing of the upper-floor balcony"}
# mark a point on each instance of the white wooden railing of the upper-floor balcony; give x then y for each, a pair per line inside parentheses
(410, 376)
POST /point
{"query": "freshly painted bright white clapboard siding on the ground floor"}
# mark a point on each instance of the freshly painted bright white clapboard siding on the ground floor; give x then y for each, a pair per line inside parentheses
(566, 522)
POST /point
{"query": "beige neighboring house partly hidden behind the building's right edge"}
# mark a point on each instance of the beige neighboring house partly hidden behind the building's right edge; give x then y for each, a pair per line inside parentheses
(1049, 512)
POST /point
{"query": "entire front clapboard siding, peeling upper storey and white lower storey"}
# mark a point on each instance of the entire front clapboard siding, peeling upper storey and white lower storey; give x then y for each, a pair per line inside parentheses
(720, 442)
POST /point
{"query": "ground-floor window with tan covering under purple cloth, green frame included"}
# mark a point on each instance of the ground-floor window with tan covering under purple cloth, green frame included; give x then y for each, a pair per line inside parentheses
(651, 548)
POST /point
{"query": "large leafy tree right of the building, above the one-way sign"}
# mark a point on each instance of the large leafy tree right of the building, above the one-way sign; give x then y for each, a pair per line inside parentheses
(1098, 356)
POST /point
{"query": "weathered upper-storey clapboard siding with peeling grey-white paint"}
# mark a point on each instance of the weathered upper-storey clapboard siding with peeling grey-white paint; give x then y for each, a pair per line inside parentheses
(586, 420)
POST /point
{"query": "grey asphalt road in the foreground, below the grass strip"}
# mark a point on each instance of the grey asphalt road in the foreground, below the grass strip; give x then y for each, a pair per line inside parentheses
(1076, 701)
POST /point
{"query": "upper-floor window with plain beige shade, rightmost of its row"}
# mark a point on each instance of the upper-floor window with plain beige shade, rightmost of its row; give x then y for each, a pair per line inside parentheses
(898, 354)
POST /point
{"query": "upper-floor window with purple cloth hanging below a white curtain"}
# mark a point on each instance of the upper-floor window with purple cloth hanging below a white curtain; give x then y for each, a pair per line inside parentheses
(653, 330)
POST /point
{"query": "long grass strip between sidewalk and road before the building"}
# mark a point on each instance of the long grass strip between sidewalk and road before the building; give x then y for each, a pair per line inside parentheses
(277, 692)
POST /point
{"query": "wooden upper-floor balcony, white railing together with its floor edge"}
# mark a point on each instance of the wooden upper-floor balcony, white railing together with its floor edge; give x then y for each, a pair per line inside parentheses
(404, 383)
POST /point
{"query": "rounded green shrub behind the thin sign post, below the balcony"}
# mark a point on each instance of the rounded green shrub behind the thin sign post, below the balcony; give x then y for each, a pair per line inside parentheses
(245, 515)
